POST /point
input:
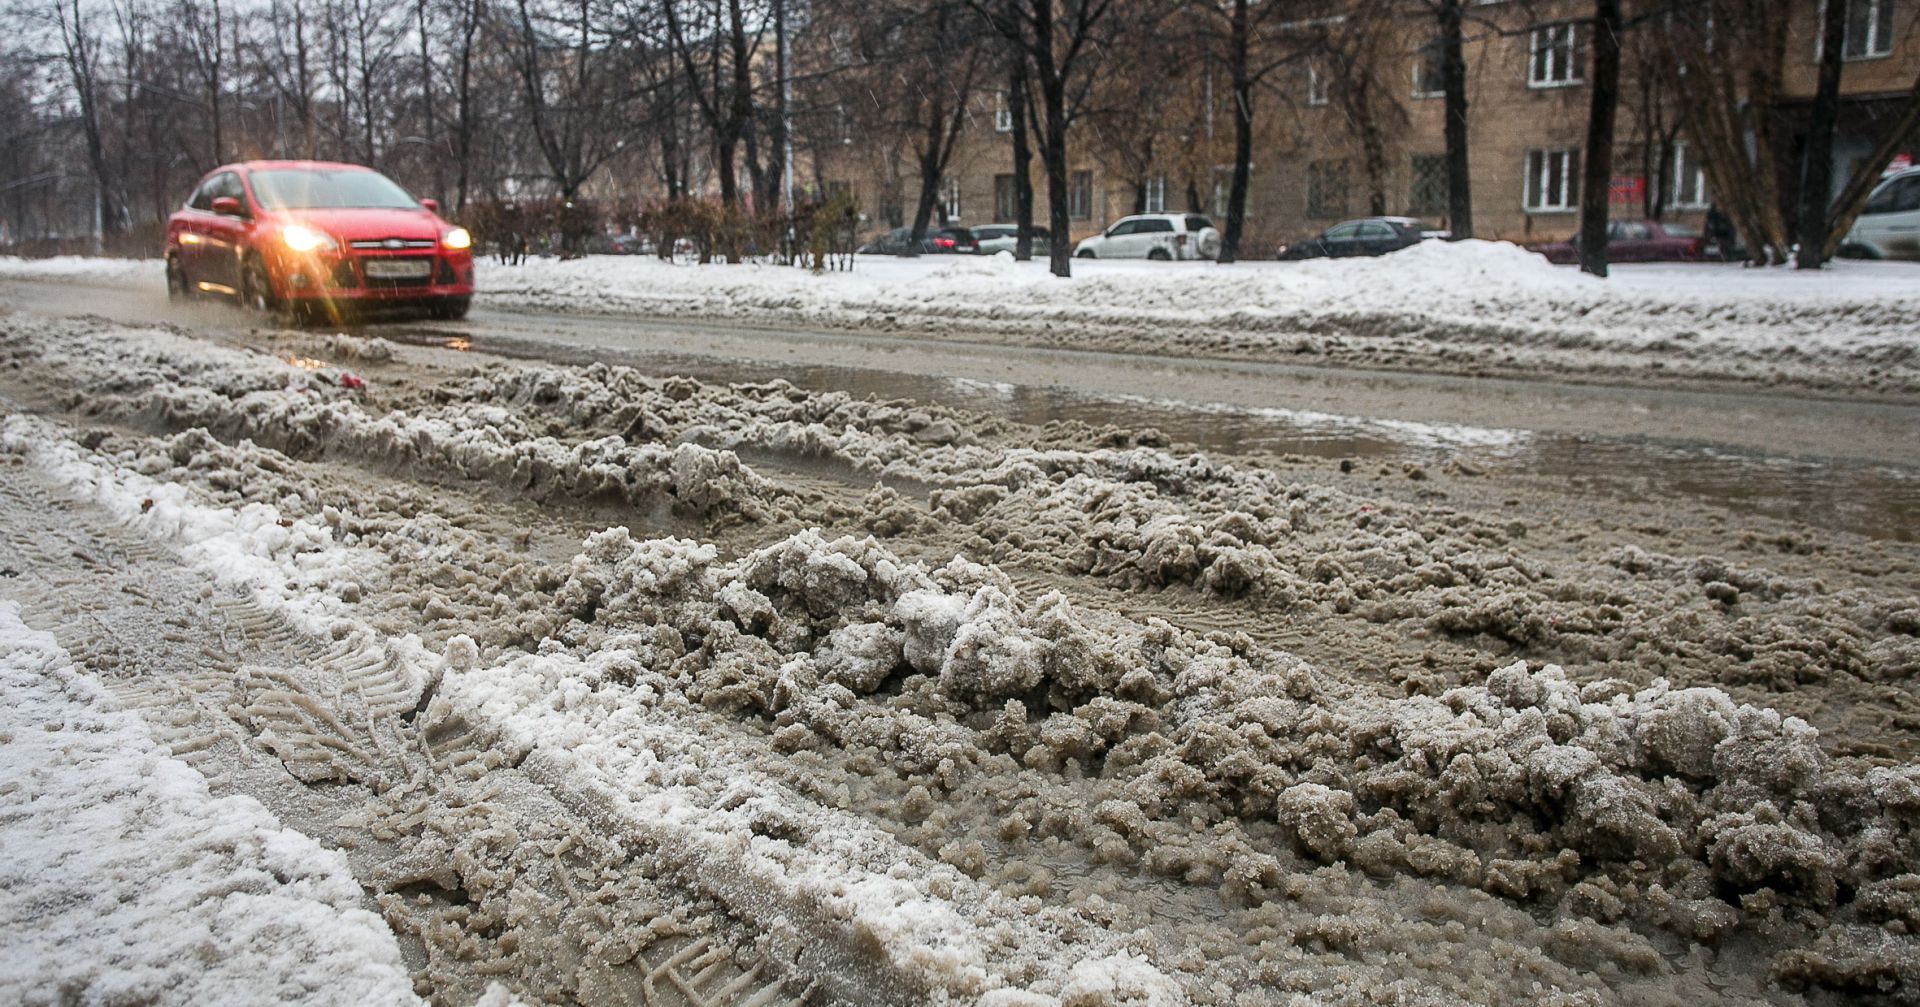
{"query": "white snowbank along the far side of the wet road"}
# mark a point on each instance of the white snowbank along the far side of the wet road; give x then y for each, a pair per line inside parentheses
(1462, 308)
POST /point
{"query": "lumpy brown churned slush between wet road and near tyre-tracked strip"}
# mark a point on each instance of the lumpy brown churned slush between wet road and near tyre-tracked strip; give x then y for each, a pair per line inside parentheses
(1322, 735)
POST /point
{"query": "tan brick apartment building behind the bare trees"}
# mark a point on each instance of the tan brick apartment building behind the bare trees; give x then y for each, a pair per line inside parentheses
(1527, 68)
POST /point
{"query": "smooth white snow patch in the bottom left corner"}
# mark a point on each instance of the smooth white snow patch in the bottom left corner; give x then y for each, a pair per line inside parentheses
(124, 881)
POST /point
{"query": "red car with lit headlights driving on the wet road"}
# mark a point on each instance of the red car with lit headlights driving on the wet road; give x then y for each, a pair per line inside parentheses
(318, 239)
